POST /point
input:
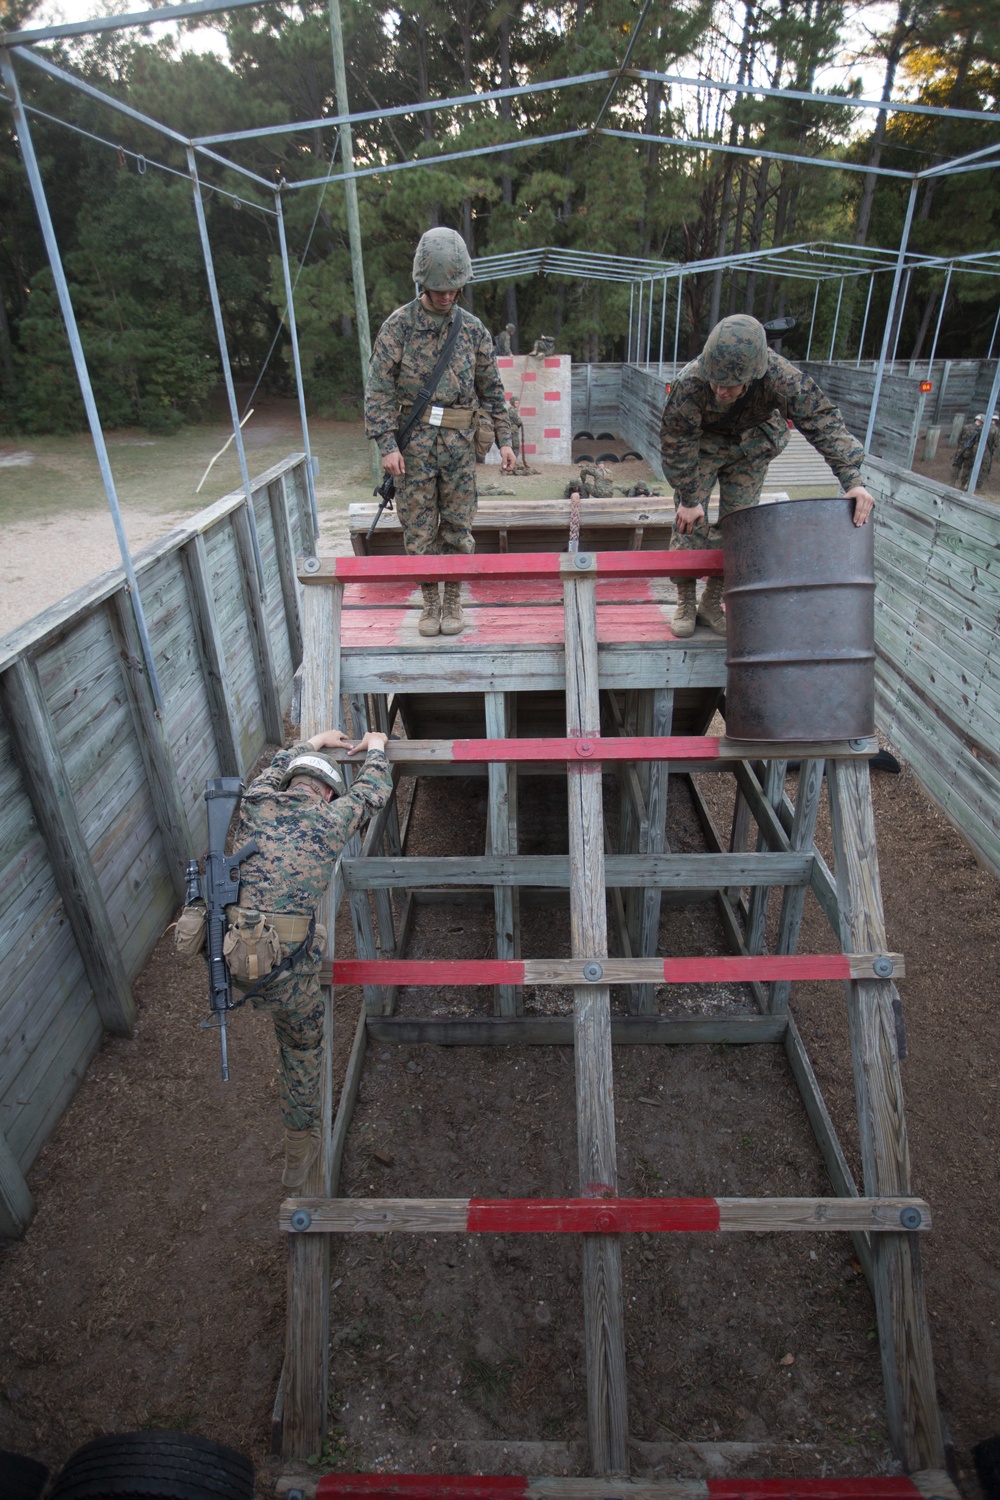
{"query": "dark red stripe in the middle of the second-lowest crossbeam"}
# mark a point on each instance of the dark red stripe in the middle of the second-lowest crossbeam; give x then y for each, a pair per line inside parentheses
(591, 1216)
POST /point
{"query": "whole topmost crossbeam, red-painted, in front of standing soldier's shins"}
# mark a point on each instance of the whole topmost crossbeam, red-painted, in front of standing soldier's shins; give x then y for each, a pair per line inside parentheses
(510, 566)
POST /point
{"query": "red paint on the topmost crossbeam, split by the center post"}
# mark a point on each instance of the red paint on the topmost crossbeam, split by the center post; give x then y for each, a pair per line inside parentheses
(525, 565)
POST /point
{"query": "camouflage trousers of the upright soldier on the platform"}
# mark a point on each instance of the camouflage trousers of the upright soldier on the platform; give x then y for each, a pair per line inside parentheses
(436, 500)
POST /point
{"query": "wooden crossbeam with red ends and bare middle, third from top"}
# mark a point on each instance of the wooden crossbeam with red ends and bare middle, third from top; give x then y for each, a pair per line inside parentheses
(710, 970)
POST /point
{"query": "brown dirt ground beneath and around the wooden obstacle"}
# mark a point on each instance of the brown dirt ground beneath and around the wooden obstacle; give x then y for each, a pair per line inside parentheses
(151, 1289)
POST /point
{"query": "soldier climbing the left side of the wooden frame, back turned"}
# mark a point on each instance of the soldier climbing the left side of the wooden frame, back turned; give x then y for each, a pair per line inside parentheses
(301, 832)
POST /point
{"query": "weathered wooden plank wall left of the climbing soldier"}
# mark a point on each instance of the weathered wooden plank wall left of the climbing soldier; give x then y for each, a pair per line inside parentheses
(103, 799)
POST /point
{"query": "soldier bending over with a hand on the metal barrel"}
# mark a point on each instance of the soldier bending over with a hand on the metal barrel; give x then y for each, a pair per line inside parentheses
(725, 421)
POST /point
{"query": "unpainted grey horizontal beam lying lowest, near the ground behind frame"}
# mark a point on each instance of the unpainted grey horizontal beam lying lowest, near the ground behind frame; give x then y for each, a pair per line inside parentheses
(557, 1031)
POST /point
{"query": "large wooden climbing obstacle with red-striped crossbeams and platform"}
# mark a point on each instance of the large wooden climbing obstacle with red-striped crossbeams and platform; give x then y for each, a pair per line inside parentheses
(587, 635)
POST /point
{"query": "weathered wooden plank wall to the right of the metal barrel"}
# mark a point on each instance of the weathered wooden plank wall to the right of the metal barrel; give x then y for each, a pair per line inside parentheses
(938, 622)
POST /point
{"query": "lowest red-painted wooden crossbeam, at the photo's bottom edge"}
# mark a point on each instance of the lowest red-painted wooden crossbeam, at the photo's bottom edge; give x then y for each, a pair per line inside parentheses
(525, 1487)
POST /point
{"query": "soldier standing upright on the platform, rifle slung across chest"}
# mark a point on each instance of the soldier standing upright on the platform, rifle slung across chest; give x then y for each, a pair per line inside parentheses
(436, 482)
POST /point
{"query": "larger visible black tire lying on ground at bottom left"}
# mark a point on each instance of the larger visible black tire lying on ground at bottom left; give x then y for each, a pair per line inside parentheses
(155, 1466)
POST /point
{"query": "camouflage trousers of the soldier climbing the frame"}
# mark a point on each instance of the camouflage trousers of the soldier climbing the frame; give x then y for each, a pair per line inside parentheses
(296, 1009)
